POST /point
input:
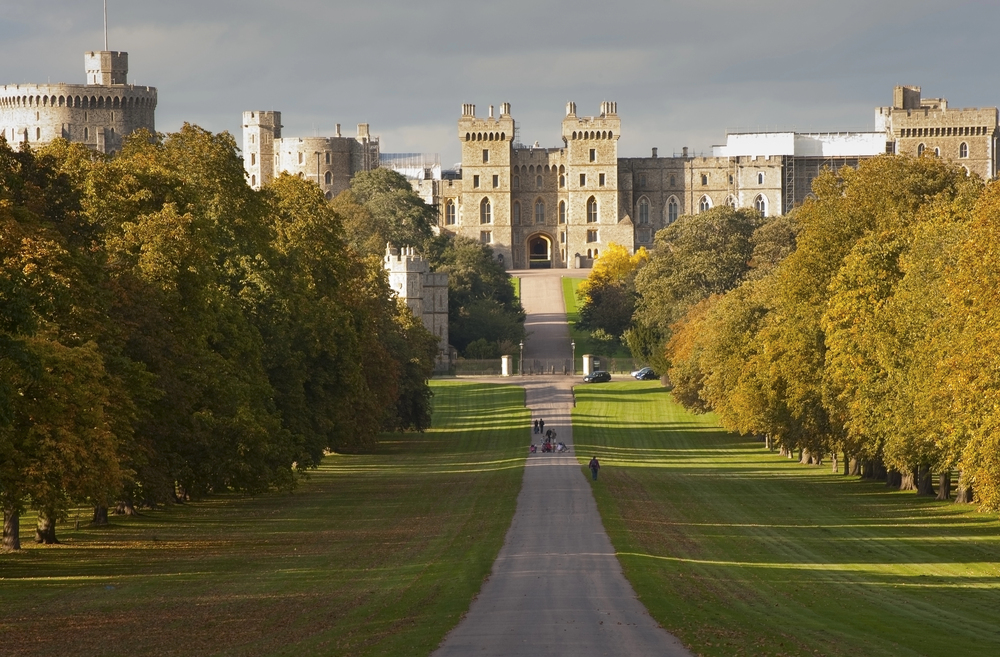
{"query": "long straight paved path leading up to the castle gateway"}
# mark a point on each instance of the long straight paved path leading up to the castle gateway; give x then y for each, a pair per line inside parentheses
(556, 587)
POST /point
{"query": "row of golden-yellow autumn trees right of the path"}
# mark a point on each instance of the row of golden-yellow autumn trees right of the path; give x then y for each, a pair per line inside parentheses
(864, 326)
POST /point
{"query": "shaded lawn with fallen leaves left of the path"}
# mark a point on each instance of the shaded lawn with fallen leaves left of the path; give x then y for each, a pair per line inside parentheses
(374, 555)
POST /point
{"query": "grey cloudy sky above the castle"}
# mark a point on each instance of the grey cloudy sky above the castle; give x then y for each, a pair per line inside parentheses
(682, 72)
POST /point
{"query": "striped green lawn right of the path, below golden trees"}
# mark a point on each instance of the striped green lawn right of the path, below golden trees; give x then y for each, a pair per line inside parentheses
(738, 551)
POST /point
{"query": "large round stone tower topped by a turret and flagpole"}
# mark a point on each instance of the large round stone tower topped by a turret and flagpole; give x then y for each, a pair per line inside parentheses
(99, 114)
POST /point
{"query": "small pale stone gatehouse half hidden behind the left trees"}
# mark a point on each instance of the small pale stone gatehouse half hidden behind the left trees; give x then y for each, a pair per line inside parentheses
(425, 293)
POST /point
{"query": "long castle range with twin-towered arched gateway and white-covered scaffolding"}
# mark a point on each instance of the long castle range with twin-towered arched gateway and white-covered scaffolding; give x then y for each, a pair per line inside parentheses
(559, 207)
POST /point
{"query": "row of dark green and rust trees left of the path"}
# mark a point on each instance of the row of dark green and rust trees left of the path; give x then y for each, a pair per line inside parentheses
(167, 332)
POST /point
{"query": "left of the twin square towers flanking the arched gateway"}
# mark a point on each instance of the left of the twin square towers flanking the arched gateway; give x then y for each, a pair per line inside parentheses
(484, 202)
